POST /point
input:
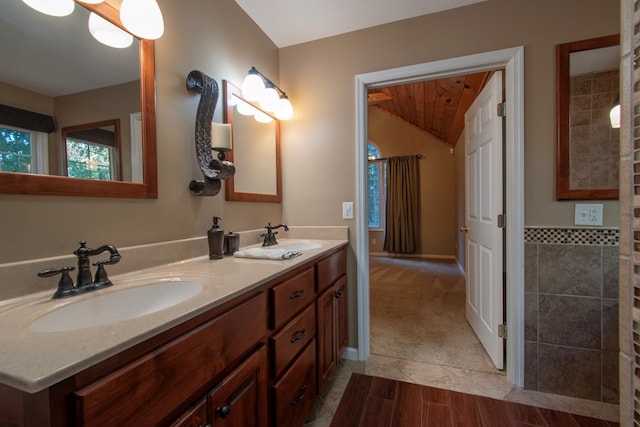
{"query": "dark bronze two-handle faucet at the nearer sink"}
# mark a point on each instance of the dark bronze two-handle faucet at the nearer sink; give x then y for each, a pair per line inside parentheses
(84, 282)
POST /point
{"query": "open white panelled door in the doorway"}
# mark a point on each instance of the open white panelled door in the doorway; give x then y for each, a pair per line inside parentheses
(484, 243)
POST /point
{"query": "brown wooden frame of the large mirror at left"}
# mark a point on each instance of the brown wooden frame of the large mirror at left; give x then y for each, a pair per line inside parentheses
(20, 183)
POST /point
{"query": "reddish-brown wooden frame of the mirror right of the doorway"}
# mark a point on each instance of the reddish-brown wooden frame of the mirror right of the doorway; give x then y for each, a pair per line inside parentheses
(563, 52)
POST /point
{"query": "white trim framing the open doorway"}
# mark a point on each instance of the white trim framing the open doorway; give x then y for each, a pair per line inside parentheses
(512, 60)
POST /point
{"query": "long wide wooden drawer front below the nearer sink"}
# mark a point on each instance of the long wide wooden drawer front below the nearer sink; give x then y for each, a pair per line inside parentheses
(146, 391)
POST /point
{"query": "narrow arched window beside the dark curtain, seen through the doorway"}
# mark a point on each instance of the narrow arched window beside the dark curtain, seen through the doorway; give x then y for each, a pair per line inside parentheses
(376, 185)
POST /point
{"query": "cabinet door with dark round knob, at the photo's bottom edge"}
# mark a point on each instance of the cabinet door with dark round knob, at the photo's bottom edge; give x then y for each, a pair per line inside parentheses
(241, 399)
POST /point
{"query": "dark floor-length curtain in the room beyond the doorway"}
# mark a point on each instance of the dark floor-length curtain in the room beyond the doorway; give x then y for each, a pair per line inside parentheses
(403, 205)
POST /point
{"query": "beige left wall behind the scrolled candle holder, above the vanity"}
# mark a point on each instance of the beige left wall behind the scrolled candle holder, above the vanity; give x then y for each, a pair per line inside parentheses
(216, 38)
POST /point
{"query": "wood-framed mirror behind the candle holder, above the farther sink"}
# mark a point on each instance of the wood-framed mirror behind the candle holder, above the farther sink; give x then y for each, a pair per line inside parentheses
(255, 153)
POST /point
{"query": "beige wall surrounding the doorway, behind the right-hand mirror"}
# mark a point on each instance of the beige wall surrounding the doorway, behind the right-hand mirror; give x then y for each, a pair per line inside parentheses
(319, 76)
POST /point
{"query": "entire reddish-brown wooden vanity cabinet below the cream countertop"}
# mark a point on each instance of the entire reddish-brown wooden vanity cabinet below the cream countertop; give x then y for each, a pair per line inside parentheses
(260, 359)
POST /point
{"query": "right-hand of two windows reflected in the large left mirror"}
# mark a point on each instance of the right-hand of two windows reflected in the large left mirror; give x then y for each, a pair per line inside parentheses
(89, 160)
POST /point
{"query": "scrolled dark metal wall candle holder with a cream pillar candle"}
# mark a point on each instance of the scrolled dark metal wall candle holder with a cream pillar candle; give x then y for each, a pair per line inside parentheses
(209, 137)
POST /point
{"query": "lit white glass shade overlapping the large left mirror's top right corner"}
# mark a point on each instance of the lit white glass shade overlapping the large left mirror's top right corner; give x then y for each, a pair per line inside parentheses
(142, 18)
